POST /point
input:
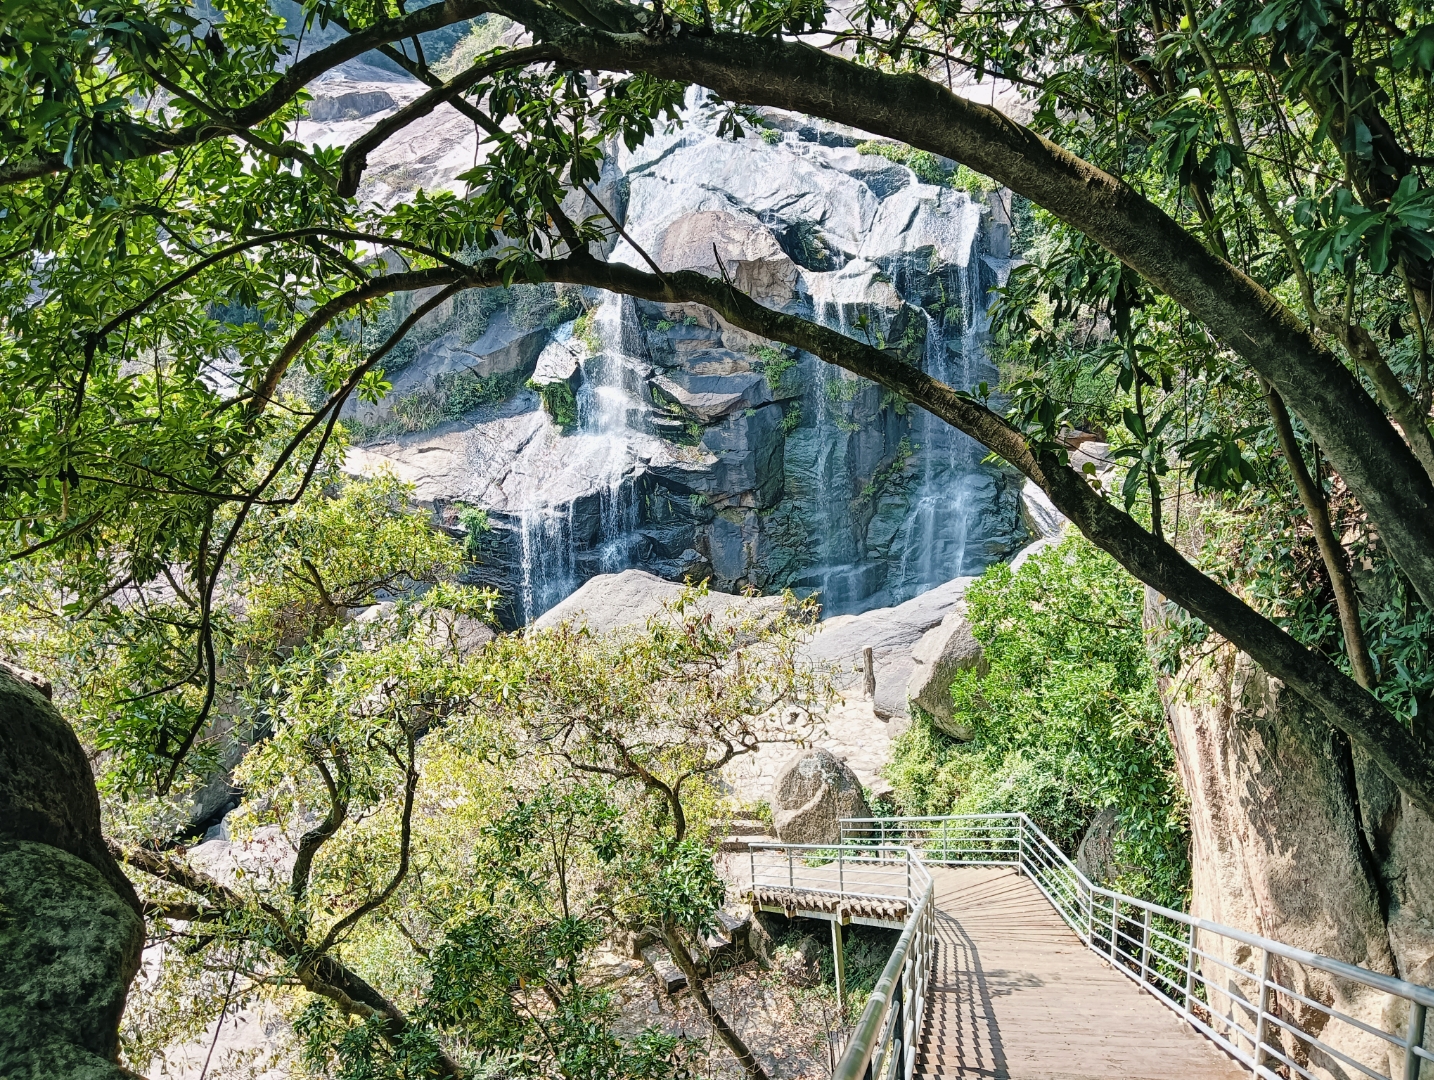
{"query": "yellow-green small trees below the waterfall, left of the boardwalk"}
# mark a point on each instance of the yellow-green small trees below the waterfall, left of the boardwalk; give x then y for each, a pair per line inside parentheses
(561, 794)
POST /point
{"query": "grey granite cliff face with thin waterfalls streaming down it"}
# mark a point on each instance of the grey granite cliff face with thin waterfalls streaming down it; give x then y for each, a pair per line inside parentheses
(668, 441)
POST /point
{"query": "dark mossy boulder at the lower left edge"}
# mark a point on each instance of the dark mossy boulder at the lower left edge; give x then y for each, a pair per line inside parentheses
(71, 929)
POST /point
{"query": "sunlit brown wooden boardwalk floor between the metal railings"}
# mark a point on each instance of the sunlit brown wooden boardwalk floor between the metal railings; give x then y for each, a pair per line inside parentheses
(1017, 996)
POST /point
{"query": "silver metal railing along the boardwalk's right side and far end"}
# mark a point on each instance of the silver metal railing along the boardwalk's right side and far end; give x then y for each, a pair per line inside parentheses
(1281, 1012)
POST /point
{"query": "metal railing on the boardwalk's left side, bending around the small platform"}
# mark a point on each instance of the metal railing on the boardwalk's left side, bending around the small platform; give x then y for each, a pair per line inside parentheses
(855, 878)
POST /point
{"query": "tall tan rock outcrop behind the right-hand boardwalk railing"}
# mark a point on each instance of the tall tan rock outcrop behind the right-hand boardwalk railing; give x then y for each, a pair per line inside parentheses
(1297, 840)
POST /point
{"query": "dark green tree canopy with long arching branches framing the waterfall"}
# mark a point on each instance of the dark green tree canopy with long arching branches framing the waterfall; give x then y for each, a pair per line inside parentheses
(1238, 250)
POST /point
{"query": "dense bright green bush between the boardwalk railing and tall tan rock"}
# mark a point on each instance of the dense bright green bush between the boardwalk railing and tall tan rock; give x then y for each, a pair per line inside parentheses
(1065, 722)
